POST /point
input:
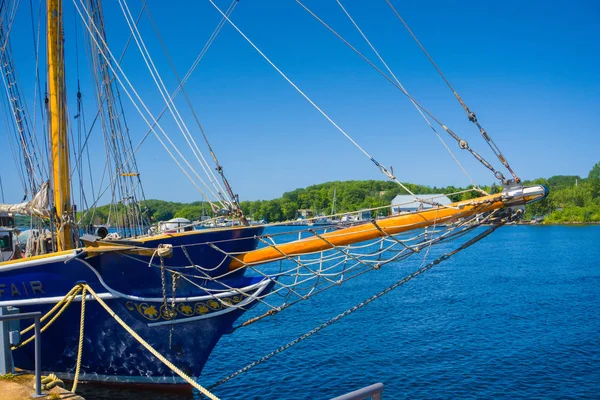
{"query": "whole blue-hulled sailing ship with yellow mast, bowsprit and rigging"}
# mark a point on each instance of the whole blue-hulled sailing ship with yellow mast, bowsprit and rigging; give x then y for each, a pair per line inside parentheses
(182, 291)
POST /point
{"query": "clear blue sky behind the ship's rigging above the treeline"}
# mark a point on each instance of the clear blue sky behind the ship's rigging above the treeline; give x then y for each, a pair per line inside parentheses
(528, 69)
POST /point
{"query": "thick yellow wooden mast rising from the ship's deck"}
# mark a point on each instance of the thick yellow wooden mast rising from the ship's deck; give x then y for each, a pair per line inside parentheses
(59, 144)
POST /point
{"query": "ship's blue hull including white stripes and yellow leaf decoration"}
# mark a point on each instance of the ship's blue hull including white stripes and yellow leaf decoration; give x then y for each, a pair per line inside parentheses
(185, 334)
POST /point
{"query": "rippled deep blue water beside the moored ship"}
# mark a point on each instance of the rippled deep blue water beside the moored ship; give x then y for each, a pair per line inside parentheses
(515, 316)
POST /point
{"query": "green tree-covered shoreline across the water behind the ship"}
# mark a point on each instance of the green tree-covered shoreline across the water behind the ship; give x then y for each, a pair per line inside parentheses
(572, 199)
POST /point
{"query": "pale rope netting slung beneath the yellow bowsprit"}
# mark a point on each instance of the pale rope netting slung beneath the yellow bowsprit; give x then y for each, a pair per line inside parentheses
(296, 278)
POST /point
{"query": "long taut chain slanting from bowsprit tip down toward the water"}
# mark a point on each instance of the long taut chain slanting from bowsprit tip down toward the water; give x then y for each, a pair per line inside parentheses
(360, 305)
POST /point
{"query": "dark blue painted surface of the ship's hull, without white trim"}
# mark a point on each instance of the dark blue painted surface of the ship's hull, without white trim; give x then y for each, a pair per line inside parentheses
(108, 349)
